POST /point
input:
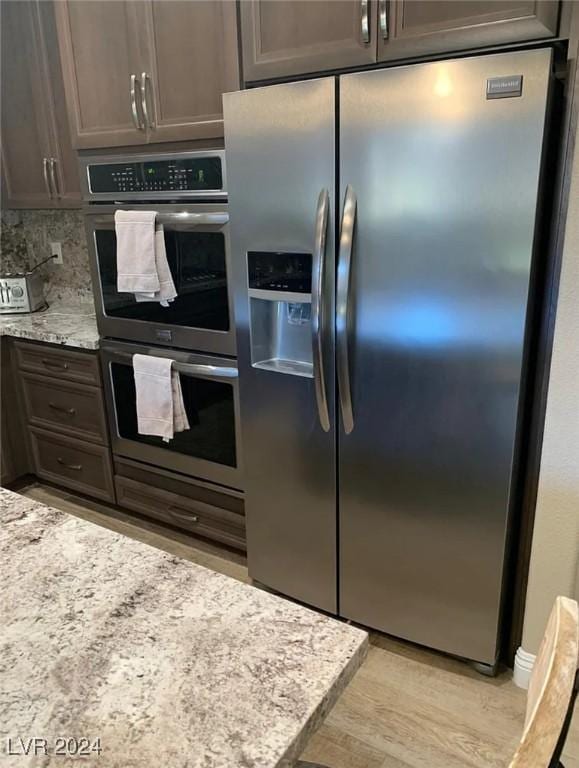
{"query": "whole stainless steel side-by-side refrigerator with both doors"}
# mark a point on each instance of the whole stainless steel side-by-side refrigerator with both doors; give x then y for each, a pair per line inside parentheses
(383, 229)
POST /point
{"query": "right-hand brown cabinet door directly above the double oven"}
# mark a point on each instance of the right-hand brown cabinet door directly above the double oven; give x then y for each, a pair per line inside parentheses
(193, 60)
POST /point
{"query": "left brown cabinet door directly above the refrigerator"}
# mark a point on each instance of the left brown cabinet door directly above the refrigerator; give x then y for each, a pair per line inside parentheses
(281, 38)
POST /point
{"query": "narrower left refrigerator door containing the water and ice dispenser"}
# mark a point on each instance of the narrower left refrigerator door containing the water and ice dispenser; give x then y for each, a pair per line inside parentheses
(280, 148)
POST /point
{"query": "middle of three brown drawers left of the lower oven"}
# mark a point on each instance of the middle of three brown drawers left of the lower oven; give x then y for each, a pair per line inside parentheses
(74, 409)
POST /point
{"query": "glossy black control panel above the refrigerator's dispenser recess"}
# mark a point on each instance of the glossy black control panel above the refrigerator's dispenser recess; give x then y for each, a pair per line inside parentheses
(280, 271)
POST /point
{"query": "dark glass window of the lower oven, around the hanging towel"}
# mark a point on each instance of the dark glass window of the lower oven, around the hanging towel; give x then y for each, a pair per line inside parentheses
(210, 410)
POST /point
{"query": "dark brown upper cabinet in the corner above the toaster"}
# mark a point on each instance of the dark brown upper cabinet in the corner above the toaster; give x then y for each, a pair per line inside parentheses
(39, 165)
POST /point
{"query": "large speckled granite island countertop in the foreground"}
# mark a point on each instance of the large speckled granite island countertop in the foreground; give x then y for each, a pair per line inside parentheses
(169, 663)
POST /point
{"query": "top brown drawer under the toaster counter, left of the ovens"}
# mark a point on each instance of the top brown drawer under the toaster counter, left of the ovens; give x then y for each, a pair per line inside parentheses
(65, 364)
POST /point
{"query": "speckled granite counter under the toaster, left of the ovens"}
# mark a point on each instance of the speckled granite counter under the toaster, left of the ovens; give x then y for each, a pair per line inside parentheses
(70, 323)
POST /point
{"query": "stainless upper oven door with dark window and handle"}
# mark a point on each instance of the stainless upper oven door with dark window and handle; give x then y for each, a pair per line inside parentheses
(197, 244)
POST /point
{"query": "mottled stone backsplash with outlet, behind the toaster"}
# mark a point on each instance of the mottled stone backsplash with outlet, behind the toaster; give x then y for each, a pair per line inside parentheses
(25, 240)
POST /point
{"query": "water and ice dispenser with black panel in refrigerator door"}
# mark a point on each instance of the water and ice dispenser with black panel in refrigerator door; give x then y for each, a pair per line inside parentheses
(280, 311)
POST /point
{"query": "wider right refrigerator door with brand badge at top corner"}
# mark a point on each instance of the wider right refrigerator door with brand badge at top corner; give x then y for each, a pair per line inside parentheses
(446, 181)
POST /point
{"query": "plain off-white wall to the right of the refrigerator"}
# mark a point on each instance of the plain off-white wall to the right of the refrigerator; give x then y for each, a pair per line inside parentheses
(554, 567)
